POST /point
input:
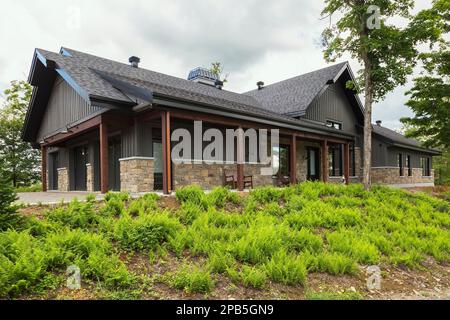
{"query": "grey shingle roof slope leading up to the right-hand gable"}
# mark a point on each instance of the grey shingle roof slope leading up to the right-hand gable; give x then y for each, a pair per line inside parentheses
(295, 94)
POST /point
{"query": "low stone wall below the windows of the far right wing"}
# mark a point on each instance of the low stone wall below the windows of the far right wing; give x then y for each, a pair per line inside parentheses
(391, 175)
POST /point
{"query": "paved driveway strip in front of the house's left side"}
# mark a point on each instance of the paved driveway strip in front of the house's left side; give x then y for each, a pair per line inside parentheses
(52, 197)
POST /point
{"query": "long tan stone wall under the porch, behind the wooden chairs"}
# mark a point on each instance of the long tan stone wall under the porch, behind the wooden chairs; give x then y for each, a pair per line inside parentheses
(210, 175)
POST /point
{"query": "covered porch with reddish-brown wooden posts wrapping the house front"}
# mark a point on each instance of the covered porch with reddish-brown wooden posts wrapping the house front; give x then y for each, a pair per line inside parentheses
(134, 153)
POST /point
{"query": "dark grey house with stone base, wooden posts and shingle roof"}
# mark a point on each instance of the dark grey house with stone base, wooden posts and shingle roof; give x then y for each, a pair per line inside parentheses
(104, 125)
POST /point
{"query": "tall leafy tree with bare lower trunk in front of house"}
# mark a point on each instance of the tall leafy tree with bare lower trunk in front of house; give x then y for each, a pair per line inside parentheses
(387, 52)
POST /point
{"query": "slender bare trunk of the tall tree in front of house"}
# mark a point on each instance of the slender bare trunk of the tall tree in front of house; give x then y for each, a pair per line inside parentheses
(368, 99)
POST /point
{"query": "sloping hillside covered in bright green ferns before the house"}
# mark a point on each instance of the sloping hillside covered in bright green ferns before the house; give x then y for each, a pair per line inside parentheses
(224, 244)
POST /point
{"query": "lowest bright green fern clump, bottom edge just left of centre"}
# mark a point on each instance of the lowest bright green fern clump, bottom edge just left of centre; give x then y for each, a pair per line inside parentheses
(192, 279)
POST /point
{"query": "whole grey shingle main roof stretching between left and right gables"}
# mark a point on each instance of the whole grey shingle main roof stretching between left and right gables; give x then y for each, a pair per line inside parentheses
(272, 101)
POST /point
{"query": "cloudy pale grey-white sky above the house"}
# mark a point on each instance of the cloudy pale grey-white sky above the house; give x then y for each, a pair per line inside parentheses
(254, 40)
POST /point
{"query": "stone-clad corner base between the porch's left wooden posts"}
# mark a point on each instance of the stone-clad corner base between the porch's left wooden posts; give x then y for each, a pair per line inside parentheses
(137, 174)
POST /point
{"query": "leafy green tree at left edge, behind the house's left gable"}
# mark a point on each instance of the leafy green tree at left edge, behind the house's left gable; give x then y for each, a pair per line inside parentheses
(19, 162)
